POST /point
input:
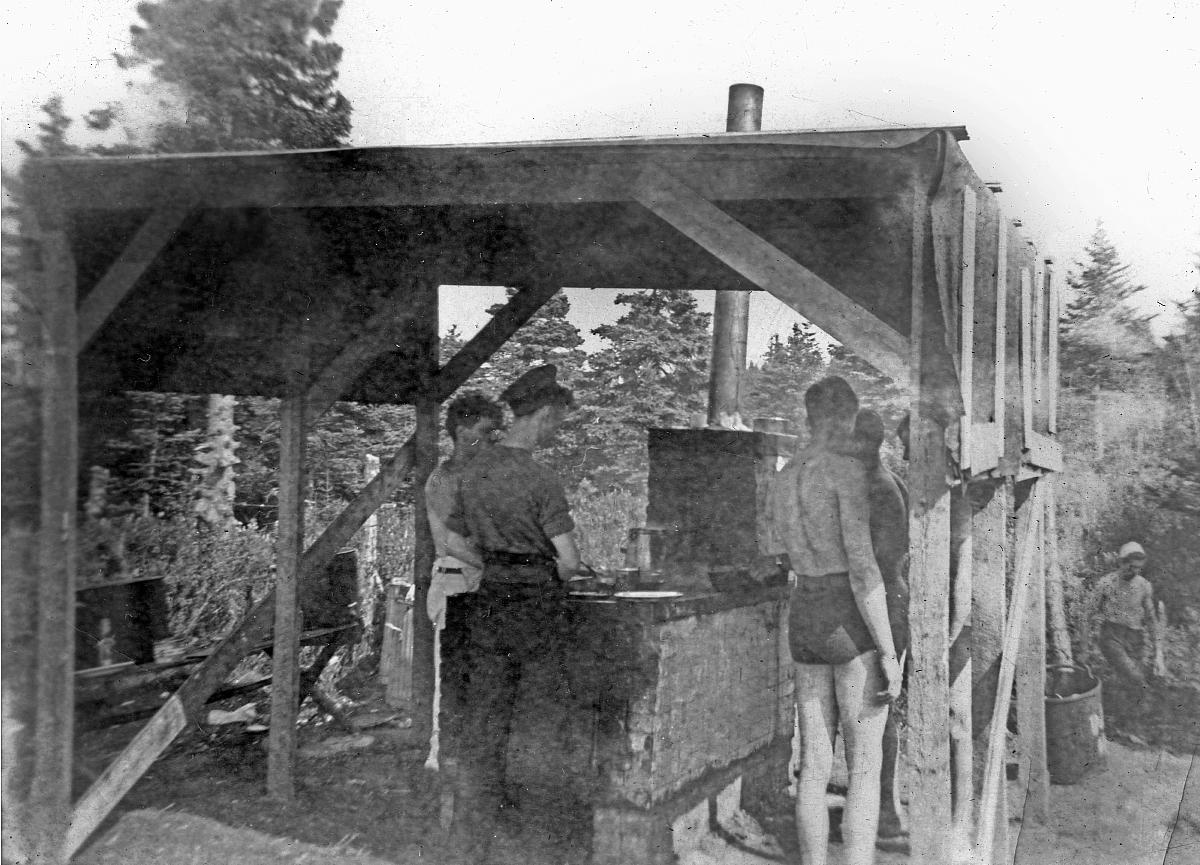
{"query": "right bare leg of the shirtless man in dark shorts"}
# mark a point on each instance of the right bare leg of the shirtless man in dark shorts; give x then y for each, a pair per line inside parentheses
(863, 718)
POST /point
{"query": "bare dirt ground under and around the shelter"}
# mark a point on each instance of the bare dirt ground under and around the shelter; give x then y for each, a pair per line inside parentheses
(202, 802)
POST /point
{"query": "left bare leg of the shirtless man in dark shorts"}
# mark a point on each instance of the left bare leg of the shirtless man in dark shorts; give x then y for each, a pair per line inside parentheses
(818, 712)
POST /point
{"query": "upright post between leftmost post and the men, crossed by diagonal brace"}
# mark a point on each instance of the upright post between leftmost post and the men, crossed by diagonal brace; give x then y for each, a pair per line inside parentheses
(289, 617)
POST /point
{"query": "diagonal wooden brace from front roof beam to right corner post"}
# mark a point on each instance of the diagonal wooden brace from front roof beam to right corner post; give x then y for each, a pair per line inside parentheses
(773, 271)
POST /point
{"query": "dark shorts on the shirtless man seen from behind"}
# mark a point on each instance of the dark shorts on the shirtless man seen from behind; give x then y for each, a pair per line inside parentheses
(824, 624)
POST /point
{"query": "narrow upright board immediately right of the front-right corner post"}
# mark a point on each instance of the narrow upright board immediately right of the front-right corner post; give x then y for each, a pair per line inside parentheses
(962, 752)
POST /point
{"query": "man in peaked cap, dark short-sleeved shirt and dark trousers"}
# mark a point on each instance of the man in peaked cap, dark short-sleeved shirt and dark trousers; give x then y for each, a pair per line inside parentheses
(515, 513)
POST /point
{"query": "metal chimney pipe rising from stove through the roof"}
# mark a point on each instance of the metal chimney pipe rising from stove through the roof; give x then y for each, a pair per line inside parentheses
(731, 313)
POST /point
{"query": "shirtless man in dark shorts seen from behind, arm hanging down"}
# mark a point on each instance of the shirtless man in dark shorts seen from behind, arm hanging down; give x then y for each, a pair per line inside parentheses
(847, 668)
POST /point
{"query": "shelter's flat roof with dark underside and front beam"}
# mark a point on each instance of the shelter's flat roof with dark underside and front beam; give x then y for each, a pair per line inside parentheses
(238, 259)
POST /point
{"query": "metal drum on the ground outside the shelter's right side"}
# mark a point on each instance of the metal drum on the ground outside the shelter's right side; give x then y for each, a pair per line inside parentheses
(1076, 744)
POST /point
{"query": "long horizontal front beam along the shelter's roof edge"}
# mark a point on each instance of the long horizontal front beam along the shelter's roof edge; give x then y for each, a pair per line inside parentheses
(364, 179)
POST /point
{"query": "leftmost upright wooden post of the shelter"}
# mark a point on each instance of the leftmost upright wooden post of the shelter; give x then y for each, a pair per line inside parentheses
(50, 801)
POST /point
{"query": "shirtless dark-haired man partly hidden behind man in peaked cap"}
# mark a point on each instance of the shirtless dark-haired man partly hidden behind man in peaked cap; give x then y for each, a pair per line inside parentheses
(471, 422)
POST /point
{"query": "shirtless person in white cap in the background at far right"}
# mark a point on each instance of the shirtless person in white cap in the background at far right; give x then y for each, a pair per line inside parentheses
(1126, 608)
